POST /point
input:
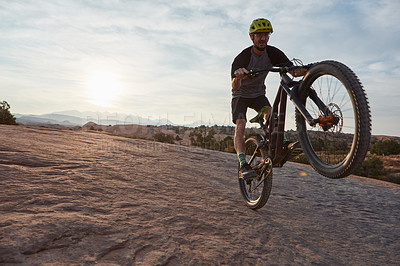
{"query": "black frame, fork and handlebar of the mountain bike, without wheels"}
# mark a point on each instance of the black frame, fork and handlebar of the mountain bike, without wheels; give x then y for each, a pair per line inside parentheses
(276, 124)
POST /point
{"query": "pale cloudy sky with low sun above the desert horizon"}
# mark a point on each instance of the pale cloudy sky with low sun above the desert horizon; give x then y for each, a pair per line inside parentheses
(171, 59)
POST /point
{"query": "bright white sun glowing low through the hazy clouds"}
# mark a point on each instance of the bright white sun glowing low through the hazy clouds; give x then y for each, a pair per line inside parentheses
(103, 88)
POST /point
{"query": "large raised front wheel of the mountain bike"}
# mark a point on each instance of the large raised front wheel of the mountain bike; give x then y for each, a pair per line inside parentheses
(337, 145)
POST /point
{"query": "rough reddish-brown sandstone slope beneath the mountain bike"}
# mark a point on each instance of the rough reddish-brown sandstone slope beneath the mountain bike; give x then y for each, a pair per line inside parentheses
(85, 198)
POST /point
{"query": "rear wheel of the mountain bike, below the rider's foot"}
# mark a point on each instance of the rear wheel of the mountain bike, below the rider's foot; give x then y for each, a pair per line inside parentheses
(256, 191)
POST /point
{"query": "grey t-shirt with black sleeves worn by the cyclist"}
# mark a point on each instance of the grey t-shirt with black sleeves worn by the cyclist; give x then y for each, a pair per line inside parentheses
(252, 88)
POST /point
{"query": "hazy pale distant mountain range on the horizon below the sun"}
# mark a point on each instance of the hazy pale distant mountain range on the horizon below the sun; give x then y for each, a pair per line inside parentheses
(77, 118)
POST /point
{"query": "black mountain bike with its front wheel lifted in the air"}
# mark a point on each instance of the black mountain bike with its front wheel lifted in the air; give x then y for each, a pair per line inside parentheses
(333, 125)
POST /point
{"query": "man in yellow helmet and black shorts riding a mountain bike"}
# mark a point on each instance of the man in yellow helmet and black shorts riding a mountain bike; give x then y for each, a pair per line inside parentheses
(251, 92)
